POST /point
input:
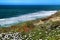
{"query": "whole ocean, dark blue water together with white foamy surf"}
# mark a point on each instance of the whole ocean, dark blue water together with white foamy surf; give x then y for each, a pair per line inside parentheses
(10, 14)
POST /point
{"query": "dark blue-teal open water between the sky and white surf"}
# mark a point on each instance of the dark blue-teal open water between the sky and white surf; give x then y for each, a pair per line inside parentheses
(7, 11)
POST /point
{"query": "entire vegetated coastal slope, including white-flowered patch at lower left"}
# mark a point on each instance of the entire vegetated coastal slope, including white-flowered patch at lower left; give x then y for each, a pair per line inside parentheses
(42, 29)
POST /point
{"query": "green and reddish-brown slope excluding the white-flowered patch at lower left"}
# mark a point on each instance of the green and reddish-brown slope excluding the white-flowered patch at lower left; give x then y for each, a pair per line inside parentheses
(45, 28)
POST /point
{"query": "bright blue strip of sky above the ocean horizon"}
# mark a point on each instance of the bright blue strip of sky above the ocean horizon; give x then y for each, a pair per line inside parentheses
(29, 2)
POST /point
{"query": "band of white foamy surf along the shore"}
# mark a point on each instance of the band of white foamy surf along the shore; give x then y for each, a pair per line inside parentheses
(26, 17)
